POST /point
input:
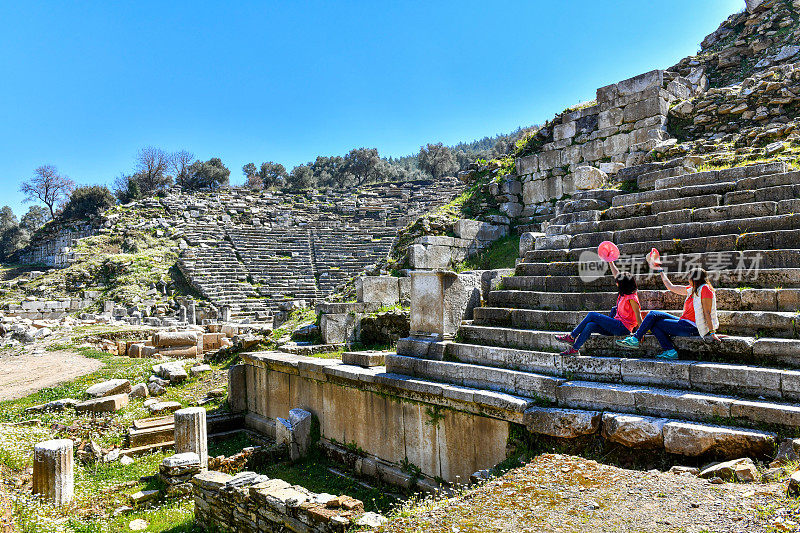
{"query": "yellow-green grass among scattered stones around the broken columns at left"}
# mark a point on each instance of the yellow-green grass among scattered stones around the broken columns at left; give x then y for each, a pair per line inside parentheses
(100, 489)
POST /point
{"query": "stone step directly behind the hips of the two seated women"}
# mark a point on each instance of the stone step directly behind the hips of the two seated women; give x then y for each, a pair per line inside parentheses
(778, 324)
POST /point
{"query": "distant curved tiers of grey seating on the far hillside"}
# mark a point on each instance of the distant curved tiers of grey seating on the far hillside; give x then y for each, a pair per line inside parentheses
(253, 250)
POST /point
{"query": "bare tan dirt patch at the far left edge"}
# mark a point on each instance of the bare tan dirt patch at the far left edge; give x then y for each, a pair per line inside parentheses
(31, 371)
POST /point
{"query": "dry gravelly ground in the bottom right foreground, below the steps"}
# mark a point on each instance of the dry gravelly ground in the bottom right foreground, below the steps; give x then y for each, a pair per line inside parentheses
(564, 494)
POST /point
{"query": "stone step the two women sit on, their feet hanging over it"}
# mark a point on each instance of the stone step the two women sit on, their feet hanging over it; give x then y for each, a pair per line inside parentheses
(770, 351)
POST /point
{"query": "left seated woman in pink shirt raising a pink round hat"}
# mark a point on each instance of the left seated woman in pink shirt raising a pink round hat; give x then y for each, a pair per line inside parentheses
(623, 319)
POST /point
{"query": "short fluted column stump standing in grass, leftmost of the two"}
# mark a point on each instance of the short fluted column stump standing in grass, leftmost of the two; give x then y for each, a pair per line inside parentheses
(53, 474)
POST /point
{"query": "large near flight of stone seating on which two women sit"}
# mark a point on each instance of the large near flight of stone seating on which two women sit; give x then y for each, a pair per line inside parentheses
(723, 399)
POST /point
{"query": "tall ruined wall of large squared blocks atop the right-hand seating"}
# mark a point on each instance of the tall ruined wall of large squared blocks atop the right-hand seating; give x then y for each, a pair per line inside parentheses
(583, 147)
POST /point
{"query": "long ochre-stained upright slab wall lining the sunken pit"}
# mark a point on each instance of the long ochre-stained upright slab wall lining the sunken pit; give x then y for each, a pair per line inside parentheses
(446, 432)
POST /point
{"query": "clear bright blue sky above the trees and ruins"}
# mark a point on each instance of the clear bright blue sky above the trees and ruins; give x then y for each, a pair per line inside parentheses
(86, 84)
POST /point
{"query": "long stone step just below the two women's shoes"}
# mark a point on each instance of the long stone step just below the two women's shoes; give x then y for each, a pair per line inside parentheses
(695, 375)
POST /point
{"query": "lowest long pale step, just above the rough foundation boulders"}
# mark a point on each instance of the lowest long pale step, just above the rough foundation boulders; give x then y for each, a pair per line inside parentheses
(617, 397)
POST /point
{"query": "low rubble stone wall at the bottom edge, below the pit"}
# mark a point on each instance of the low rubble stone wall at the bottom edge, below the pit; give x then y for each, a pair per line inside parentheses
(252, 503)
